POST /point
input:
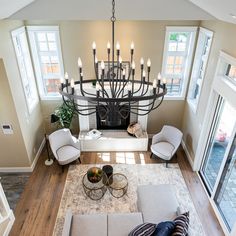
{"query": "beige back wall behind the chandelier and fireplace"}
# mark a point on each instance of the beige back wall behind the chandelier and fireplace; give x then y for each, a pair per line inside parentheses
(148, 36)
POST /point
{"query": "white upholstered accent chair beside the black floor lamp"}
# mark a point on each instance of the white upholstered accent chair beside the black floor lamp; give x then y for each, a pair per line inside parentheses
(64, 146)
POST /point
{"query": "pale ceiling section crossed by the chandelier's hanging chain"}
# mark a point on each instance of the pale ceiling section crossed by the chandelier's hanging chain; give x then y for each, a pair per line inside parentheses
(101, 10)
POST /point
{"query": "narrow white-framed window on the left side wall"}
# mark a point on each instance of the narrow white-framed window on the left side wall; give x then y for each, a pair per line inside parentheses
(25, 67)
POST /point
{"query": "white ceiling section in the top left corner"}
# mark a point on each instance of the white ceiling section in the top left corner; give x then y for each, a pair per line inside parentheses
(9, 7)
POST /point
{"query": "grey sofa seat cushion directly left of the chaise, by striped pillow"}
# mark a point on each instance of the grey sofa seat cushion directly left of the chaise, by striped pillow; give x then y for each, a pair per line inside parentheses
(120, 224)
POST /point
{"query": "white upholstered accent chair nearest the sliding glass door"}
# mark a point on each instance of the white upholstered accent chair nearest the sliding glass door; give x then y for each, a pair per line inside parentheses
(166, 143)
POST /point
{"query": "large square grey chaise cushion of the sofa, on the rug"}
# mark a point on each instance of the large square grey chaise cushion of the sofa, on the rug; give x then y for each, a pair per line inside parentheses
(157, 202)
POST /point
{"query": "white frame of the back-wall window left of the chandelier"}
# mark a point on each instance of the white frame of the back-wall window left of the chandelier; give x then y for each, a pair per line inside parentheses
(32, 30)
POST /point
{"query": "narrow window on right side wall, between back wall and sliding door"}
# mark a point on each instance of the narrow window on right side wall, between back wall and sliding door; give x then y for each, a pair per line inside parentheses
(199, 66)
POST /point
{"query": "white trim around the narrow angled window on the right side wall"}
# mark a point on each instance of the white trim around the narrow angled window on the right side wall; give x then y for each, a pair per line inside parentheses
(194, 105)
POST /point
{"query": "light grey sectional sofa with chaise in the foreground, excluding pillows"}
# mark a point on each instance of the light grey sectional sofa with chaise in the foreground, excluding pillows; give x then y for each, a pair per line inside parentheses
(155, 203)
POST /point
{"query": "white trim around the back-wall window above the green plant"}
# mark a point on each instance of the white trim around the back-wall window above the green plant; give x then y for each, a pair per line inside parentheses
(31, 30)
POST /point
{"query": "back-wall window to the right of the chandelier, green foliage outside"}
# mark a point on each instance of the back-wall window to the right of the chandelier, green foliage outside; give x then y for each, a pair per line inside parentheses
(178, 50)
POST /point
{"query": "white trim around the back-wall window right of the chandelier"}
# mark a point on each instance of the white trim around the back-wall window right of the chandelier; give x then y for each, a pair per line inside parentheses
(193, 30)
